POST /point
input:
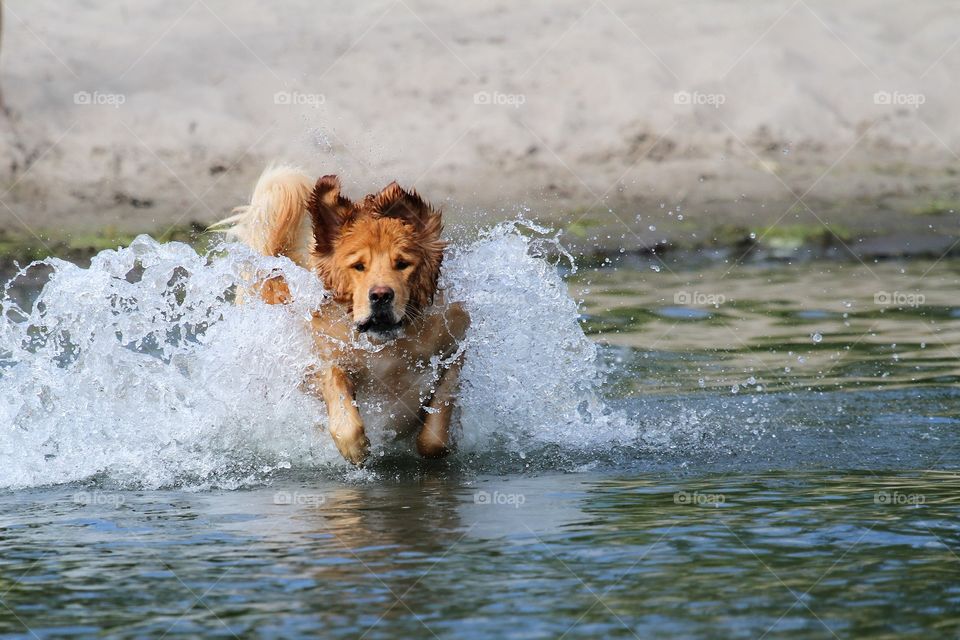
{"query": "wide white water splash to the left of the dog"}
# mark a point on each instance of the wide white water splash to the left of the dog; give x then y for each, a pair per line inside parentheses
(140, 368)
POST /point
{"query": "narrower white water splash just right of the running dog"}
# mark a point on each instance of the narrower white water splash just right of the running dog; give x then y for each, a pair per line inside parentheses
(531, 377)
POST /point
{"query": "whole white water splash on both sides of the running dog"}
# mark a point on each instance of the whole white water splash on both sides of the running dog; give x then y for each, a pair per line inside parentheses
(141, 370)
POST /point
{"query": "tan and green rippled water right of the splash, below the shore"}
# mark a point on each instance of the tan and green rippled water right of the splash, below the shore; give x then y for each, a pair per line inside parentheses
(820, 326)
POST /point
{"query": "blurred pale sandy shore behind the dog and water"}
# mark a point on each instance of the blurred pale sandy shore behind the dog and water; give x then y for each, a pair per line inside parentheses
(628, 122)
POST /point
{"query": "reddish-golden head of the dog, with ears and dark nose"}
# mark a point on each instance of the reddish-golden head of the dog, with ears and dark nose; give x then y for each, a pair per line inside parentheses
(380, 257)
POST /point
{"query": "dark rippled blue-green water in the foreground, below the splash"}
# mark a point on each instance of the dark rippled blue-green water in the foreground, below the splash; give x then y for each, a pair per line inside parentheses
(800, 554)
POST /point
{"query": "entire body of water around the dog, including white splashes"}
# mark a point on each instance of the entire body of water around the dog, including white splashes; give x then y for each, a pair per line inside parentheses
(760, 451)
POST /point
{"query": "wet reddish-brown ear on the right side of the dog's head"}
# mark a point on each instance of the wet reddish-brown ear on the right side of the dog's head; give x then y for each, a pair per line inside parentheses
(395, 202)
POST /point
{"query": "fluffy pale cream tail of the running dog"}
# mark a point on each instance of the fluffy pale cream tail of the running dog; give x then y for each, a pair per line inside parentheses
(275, 223)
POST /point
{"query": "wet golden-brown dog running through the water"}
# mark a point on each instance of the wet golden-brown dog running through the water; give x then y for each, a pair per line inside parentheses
(379, 260)
